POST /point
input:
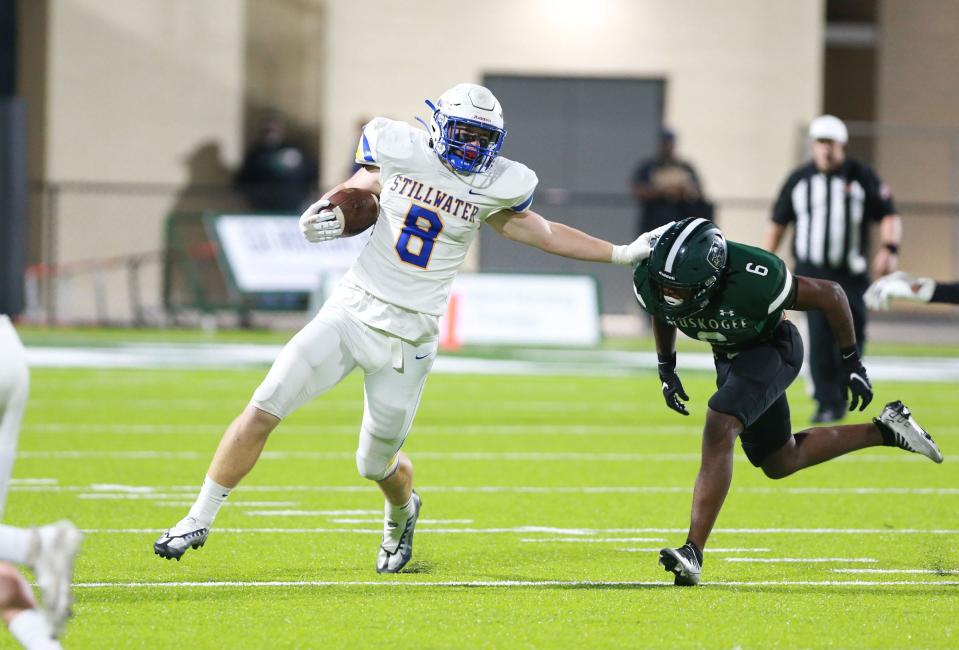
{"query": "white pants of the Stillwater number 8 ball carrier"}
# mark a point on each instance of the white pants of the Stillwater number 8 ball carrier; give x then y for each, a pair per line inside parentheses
(326, 351)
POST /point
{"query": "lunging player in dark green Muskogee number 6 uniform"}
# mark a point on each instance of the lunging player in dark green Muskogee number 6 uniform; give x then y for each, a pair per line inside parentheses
(734, 297)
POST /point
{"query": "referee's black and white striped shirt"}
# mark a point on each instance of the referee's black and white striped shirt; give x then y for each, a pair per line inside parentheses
(832, 213)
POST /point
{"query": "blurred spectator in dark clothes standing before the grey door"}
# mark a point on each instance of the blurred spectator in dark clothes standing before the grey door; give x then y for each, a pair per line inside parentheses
(668, 188)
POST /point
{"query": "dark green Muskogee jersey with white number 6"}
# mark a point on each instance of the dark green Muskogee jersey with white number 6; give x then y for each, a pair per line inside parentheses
(755, 290)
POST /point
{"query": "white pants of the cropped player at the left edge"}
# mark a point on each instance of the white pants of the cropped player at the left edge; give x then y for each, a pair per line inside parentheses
(14, 386)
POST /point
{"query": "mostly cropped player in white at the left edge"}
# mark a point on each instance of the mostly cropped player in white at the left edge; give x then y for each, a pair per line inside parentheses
(49, 551)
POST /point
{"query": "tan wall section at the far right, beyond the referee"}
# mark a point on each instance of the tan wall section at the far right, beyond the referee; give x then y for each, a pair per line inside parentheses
(918, 141)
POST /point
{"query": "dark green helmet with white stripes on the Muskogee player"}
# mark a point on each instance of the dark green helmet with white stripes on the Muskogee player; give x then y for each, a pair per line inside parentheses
(686, 266)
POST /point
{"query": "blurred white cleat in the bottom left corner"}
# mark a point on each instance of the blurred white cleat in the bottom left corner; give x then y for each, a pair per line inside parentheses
(55, 555)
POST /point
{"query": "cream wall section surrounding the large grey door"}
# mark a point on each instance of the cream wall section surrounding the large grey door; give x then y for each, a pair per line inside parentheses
(742, 76)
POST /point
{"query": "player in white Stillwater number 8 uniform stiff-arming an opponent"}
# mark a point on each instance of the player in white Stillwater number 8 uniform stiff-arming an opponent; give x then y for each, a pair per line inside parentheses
(435, 189)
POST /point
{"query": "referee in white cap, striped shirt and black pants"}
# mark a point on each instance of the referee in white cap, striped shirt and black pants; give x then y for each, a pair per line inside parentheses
(832, 202)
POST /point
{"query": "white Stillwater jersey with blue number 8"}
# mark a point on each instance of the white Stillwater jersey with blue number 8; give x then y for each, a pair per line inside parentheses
(429, 216)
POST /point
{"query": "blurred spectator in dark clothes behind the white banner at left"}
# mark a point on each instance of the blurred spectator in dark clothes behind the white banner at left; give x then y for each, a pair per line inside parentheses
(277, 175)
